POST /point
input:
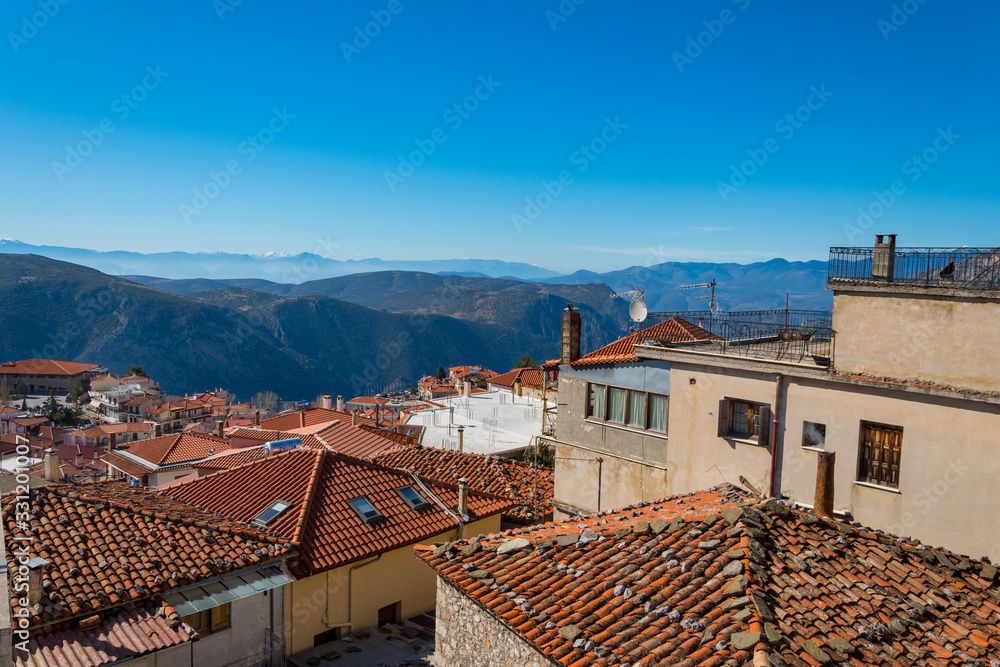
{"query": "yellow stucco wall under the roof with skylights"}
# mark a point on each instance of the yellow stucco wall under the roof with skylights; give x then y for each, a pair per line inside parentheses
(398, 577)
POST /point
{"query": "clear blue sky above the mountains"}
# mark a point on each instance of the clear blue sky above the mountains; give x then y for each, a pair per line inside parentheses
(617, 134)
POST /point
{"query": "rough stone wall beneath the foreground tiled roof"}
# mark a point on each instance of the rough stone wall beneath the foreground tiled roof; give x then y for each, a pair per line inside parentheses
(468, 635)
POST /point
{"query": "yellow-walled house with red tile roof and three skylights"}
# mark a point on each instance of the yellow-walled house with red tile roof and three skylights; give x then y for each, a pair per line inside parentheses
(354, 524)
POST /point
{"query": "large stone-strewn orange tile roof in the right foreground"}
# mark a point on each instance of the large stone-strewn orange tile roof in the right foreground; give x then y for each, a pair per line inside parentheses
(713, 578)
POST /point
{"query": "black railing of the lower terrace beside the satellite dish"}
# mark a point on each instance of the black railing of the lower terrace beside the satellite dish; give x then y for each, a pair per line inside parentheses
(793, 336)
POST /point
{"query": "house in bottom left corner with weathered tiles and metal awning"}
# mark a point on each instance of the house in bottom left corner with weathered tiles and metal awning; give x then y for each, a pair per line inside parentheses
(116, 573)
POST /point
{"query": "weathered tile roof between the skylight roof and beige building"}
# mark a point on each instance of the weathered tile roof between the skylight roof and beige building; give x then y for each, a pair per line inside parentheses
(490, 474)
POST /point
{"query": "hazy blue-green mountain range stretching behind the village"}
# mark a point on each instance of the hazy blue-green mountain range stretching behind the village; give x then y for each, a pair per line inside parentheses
(348, 334)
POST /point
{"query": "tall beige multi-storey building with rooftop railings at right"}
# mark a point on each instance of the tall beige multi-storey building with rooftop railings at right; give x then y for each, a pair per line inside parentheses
(898, 391)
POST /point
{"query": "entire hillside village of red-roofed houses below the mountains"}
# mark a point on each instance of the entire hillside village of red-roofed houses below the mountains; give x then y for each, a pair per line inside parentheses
(767, 487)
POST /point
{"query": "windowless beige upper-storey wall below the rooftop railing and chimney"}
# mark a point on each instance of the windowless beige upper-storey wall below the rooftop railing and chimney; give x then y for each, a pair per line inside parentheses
(920, 335)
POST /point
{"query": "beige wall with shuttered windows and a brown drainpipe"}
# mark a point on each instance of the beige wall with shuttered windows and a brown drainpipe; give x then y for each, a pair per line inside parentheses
(948, 462)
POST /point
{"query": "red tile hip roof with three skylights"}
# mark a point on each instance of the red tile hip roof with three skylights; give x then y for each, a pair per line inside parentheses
(320, 523)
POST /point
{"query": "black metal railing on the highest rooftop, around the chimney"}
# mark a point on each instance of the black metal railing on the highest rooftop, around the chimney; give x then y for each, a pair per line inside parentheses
(971, 268)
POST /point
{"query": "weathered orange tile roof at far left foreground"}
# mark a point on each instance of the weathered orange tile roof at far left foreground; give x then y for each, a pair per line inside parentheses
(111, 542)
